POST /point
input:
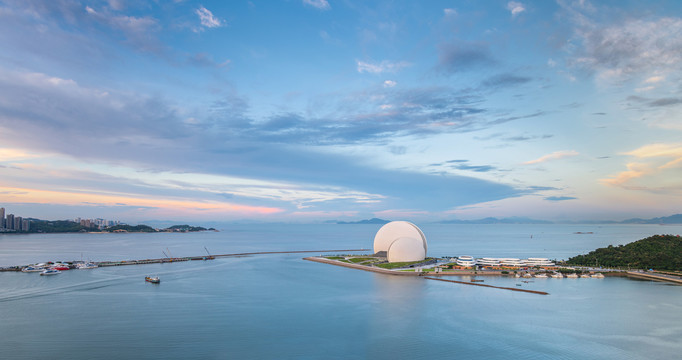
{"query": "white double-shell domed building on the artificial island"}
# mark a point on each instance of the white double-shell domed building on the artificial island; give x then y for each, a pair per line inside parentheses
(402, 241)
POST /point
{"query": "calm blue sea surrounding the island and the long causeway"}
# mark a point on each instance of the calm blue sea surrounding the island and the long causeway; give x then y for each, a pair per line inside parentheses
(279, 306)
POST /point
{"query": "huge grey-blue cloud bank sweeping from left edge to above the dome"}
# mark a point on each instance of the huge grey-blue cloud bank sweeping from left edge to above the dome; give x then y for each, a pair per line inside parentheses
(61, 116)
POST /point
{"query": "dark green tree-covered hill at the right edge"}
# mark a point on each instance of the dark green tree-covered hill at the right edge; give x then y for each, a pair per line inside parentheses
(659, 252)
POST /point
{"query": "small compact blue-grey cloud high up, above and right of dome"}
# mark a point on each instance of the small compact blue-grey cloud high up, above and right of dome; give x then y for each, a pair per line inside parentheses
(462, 56)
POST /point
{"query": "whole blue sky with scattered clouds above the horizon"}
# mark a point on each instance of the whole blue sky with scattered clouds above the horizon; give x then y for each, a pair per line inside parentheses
(317, 110)
